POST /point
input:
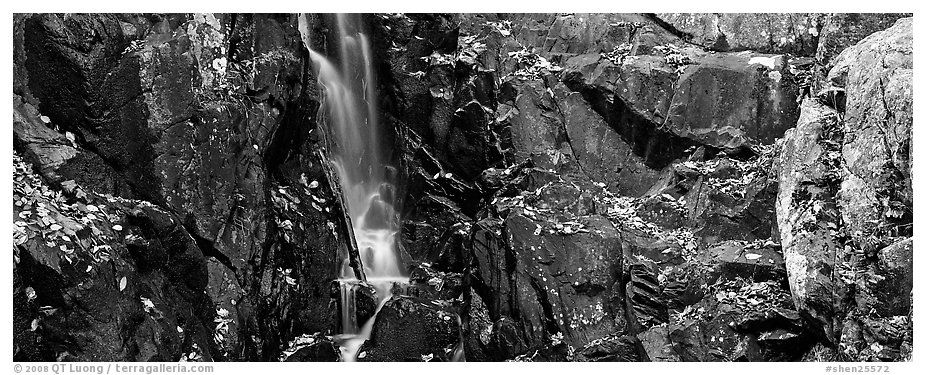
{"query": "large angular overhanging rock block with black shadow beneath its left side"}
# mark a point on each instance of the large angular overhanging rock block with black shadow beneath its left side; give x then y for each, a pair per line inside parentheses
(729, 101)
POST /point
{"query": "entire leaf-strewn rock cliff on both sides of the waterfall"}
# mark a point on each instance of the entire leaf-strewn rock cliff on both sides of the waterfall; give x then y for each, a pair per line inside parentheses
(573, 187)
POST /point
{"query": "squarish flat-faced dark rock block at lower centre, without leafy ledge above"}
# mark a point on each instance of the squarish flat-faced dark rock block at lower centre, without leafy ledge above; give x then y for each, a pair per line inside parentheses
(578, 307)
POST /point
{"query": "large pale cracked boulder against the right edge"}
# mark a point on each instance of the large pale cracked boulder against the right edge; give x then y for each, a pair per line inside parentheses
(876, 195)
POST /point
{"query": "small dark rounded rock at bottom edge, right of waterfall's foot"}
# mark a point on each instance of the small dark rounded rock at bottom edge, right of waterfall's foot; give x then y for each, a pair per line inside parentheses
(408, 329)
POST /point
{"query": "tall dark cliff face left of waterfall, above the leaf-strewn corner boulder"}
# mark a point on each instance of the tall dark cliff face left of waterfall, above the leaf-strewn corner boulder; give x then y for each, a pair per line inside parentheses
(209, 118)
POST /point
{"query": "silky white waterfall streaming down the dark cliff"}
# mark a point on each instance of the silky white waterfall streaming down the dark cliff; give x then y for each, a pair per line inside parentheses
(349, 112)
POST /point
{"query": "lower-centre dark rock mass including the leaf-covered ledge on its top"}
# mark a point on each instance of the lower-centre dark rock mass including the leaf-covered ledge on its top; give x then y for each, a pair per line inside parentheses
(560, 268)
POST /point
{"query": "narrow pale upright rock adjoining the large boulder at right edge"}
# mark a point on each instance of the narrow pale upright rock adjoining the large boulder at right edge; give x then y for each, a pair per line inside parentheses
(808, 217)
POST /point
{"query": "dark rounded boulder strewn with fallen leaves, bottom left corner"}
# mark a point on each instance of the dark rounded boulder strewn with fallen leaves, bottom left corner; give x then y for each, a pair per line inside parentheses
(105, 279)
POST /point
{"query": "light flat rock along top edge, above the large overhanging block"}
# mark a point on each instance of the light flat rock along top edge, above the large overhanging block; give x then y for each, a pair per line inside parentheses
(794, 33)
